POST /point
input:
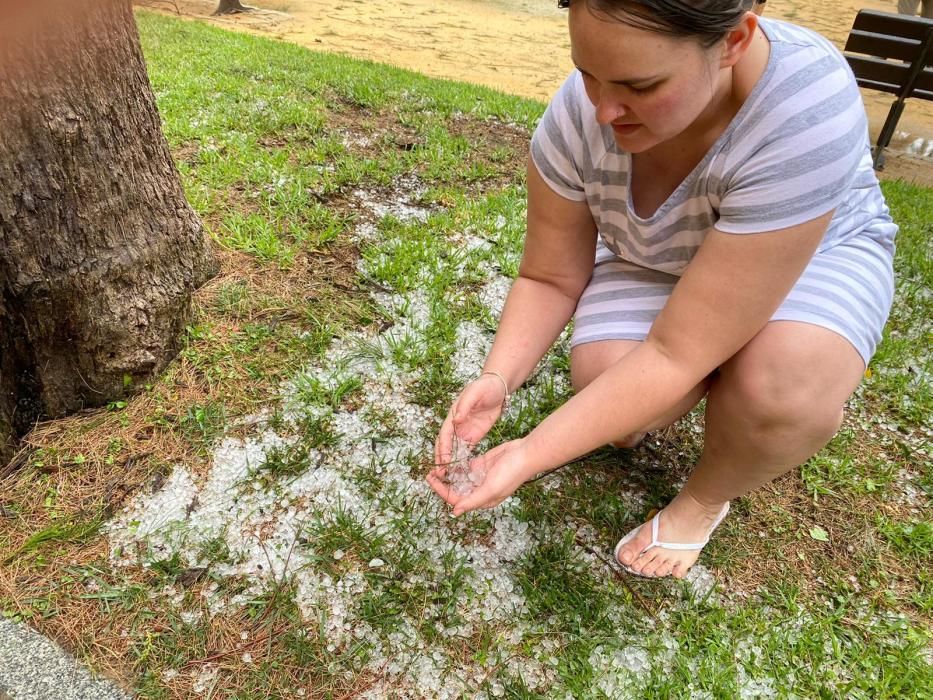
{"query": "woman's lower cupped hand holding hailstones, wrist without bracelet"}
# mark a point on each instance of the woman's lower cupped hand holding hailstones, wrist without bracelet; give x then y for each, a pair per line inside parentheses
(506, 468)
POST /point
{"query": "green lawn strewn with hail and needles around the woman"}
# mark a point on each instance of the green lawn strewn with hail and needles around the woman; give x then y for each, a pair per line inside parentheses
(368, 220)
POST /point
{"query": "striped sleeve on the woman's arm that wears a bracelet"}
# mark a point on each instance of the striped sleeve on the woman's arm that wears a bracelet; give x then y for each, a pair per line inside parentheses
(558, 142)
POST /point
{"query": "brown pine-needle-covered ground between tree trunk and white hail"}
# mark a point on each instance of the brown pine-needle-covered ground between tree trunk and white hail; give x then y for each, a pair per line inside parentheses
(72, 474)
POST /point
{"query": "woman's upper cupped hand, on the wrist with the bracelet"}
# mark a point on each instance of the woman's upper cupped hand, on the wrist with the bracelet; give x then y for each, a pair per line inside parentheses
(471, 415)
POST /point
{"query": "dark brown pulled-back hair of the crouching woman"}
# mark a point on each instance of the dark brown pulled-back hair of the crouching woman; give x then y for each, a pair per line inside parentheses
(705, 21)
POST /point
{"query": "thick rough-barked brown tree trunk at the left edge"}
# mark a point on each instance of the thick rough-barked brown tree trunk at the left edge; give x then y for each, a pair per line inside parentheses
(99, 251)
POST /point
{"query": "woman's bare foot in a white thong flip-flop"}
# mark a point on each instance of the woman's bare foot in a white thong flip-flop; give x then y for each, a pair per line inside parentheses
(685, 521)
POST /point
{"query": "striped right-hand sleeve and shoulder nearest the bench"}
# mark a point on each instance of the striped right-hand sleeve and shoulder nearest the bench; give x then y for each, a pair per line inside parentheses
(805, 148)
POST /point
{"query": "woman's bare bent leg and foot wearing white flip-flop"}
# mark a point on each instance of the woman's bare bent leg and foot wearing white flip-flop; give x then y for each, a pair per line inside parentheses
(773, 405)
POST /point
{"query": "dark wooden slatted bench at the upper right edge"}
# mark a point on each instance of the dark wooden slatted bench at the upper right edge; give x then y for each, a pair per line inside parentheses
(892, 53)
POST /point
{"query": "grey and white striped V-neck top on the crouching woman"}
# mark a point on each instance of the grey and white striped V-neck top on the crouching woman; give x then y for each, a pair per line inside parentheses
(797, 148)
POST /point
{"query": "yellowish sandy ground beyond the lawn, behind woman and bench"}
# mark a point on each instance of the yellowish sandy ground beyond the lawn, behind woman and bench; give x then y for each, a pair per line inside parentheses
(521, 47)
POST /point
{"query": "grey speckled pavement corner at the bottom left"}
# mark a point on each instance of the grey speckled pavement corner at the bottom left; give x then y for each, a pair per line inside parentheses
(35, 668)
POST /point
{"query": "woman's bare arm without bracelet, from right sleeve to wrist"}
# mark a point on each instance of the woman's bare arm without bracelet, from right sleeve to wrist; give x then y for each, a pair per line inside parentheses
(729, 292)
